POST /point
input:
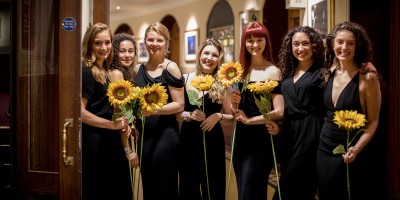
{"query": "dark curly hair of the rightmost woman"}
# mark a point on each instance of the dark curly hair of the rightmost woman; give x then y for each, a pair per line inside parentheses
(363, 51)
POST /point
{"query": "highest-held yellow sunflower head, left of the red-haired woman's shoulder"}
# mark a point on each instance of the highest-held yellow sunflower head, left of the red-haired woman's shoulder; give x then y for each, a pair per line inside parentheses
(230, 73)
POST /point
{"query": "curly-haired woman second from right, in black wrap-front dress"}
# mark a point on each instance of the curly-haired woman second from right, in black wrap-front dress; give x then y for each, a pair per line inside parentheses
(301, 59)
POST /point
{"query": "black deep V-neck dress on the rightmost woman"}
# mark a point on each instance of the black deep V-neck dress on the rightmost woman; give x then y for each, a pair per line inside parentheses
(331, 169)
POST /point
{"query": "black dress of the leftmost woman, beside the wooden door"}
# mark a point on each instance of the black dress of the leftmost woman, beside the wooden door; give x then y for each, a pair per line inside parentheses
(105, 169)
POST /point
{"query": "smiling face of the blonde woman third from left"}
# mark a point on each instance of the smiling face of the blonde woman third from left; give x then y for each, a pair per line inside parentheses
(156, 44)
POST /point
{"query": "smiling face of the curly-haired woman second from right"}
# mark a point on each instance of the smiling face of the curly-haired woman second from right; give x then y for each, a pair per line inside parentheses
(301, 47)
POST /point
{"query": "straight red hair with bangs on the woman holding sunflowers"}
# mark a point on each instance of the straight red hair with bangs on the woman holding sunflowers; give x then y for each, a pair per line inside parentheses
(254, 29)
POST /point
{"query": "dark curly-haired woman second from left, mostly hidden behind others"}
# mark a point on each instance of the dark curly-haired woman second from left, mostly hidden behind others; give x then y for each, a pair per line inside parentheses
(121, 68)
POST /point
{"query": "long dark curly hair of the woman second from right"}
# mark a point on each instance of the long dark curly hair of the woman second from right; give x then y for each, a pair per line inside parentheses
(288, 62)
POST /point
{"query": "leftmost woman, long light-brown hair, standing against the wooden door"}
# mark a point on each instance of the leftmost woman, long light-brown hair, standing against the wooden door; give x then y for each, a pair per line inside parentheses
(105, 172)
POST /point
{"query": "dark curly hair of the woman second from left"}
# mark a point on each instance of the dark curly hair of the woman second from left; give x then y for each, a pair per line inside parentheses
(115, 64)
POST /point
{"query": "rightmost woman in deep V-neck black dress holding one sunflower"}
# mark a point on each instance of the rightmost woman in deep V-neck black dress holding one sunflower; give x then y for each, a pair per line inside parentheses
(351, 86)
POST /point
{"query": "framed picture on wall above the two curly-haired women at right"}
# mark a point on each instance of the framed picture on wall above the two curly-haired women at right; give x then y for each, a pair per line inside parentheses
(320, 15)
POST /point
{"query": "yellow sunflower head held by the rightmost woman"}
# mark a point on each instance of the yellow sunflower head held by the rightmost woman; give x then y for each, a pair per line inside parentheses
(349, 119)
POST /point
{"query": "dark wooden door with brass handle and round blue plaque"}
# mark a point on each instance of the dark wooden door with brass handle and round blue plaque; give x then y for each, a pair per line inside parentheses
(47, 52)
